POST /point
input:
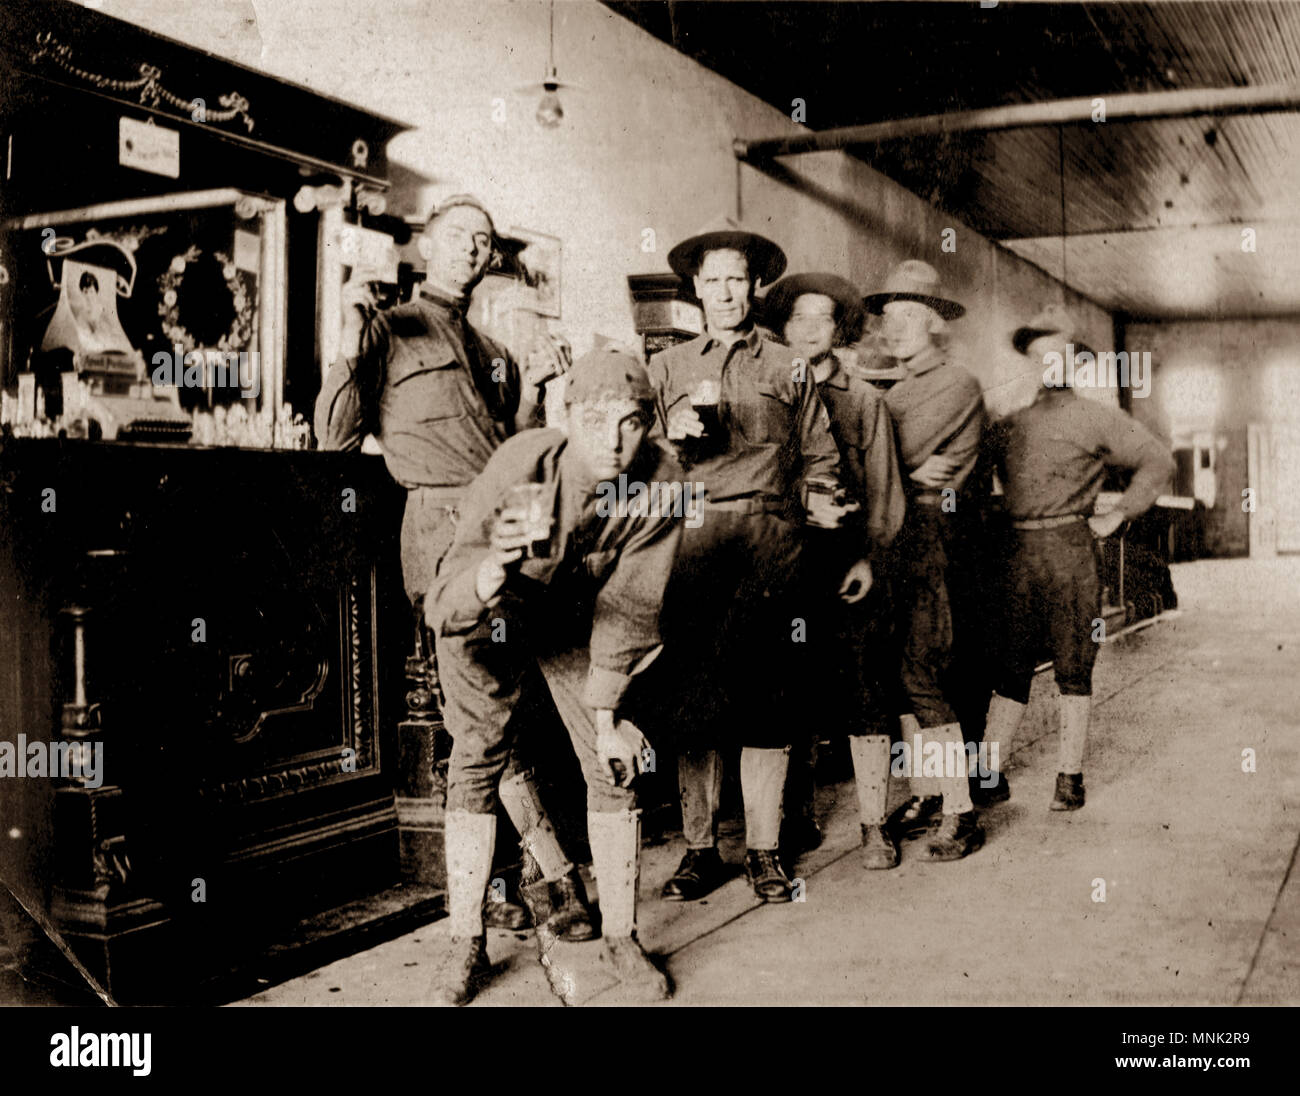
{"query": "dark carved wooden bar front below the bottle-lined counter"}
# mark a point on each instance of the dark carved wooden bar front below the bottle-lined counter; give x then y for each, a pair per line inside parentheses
(240, 620)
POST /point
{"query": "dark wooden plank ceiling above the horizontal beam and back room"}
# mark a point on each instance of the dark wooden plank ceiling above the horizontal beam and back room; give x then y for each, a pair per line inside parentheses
(1154, 213)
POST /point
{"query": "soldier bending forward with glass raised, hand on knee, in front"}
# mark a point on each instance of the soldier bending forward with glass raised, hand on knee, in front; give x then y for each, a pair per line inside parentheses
(560, 583)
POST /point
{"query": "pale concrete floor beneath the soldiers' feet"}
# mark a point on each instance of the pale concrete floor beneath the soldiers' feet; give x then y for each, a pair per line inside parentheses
(1202, 893)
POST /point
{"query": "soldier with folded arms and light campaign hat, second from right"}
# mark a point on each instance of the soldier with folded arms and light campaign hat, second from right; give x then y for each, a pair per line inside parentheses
(939, 415)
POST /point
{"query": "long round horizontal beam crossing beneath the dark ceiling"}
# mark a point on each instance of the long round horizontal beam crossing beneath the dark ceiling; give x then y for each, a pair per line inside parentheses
(1126, 107)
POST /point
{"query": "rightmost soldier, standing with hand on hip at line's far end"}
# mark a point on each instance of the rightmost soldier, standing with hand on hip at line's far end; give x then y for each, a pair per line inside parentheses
(1051, 458)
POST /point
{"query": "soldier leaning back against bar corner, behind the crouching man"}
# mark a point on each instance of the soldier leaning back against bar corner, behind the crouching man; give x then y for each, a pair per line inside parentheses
(440, 397)
